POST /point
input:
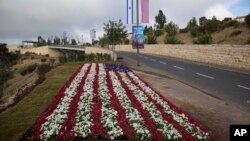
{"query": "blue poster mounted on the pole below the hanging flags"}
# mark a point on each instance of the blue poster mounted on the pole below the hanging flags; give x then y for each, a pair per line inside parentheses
(138, 37)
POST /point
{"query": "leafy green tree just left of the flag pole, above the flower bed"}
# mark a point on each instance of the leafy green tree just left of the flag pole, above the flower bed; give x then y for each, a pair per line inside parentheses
(115, 32)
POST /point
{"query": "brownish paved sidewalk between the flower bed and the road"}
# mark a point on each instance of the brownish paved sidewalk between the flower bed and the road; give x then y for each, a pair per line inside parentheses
(212, 112)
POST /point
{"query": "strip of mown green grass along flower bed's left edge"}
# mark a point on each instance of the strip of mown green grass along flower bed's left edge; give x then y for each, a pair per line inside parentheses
(16, 120)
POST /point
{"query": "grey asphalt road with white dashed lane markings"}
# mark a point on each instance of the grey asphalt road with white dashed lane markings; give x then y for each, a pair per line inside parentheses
(232, 87)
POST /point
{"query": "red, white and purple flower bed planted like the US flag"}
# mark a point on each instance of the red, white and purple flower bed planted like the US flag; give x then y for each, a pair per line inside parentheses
(109, 101)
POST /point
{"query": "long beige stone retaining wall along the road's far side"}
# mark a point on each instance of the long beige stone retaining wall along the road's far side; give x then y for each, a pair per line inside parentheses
(234, 56)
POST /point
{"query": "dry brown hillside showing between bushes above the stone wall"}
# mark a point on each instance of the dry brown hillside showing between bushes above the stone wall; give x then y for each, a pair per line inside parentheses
(231, 35)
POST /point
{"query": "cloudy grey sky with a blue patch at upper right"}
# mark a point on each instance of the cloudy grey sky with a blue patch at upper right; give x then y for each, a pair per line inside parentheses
(27, 19)
